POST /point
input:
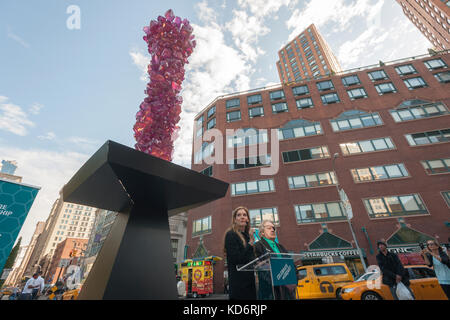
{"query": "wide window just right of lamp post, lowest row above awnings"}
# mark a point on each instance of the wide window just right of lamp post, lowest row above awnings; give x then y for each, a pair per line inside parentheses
(392, 206)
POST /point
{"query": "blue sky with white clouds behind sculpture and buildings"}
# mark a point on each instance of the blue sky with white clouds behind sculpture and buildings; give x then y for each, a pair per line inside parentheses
(73, 73)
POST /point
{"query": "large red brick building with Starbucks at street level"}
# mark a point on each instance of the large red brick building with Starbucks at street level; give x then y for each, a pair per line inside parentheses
(390, 127)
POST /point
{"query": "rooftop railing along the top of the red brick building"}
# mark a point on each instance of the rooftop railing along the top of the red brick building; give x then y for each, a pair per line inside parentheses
(340, 73)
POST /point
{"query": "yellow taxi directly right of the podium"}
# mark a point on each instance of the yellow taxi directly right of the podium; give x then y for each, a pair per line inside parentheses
(322, 281)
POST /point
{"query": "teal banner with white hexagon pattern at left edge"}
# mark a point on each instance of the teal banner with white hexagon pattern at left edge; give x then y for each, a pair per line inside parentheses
(16, 200)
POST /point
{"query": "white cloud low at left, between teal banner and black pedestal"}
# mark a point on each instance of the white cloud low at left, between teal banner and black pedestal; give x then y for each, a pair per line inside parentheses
(46, 169)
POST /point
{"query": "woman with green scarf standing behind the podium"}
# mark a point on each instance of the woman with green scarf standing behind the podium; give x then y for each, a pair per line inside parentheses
(268, 234)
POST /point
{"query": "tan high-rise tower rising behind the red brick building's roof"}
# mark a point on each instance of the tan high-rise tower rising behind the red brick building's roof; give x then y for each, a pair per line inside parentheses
(307, 56)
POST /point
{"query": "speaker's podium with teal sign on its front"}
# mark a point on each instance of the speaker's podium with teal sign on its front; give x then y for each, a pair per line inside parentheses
(273, 270)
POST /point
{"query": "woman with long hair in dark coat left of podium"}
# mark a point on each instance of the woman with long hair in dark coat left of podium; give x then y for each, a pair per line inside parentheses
(239, 251)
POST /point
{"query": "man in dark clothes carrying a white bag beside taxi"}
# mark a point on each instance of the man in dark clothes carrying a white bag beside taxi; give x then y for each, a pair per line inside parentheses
(392, 270)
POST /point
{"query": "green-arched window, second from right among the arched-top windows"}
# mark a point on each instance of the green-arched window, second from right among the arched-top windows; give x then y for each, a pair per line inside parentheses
(355, 119)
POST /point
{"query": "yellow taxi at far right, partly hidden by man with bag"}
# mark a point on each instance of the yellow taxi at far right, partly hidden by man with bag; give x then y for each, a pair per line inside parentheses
(423, 283)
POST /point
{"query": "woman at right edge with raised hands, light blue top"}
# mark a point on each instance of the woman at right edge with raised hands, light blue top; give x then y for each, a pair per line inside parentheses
(436, 257)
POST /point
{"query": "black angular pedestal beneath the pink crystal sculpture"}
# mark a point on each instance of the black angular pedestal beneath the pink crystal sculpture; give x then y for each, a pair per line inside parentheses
(136, 260)
